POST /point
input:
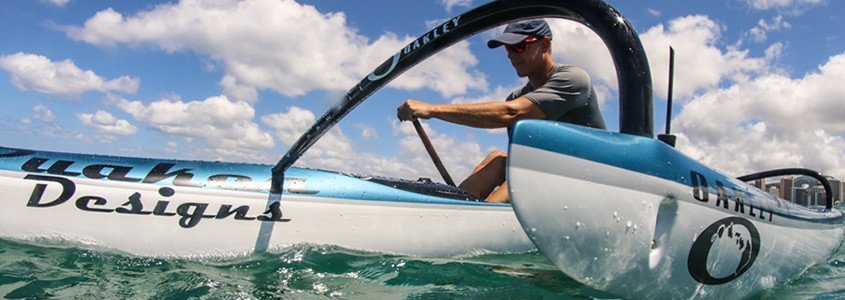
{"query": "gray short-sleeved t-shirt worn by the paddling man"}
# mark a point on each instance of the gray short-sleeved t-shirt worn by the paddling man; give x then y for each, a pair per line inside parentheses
(567, 96)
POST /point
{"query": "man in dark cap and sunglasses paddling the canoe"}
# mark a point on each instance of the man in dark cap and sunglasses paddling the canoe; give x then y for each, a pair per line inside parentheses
(553, 92)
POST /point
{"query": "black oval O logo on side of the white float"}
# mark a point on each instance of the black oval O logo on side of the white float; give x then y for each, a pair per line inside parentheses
(724, 251)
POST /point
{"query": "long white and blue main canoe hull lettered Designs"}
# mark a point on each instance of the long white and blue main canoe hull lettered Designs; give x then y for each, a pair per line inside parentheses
(46, 196)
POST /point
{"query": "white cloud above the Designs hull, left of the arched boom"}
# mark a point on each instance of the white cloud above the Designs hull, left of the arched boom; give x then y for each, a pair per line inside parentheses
(226, 126)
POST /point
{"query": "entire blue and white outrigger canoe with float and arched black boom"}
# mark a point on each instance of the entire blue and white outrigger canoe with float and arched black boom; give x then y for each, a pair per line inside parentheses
(621, 212)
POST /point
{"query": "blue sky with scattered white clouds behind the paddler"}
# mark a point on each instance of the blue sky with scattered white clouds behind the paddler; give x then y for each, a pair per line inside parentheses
(759, 84)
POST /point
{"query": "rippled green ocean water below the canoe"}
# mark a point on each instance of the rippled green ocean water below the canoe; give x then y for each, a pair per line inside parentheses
(30, 271)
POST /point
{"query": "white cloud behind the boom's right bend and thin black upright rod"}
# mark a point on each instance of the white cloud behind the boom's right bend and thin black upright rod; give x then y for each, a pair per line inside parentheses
(700, 64)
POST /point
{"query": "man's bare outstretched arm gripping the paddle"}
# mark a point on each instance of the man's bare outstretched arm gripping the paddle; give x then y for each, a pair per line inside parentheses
(481, 115)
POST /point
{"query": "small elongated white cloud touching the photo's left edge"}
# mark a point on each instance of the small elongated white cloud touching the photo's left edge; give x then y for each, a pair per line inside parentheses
(63, 78)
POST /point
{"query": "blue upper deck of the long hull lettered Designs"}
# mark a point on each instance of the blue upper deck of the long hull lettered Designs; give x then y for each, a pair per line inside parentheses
(210, 175)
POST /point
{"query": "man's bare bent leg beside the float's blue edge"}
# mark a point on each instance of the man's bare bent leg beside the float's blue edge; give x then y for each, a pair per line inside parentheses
(488, 175)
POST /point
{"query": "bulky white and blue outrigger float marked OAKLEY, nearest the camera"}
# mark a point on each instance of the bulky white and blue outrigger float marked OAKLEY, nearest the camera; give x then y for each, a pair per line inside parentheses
(646, 231)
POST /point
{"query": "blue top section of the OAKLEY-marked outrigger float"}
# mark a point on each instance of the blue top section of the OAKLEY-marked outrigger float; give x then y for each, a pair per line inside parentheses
(654, 158)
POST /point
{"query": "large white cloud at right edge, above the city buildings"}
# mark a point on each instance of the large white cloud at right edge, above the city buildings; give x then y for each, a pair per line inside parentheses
(770, 122)
